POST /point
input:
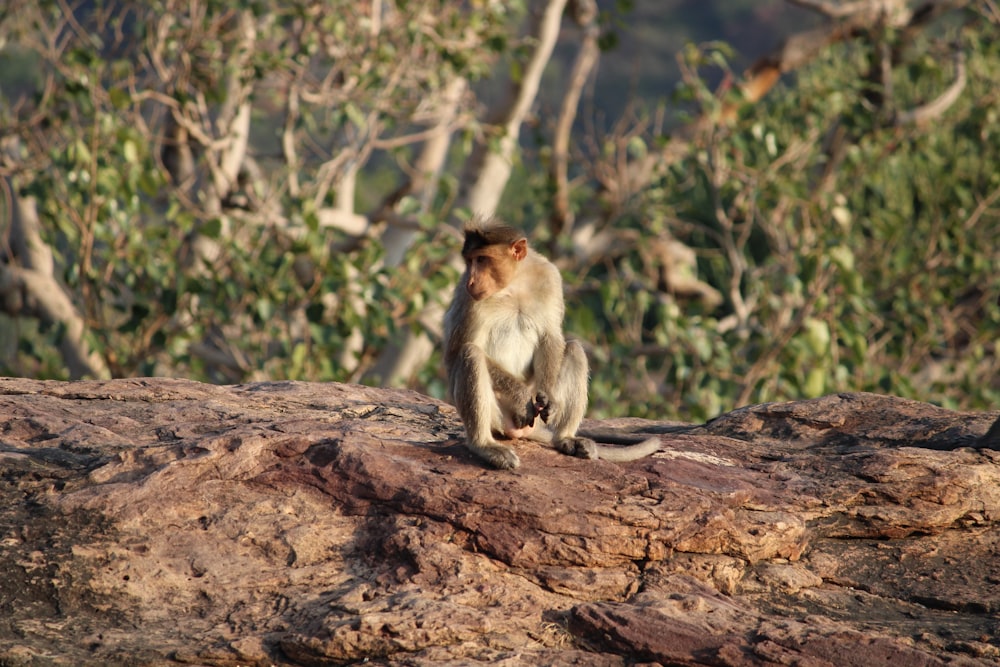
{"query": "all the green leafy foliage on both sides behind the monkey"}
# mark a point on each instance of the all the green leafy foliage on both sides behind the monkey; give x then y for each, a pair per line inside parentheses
(851, 252)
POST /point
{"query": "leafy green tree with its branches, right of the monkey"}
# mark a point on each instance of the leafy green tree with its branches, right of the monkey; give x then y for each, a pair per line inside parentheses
(802, 206)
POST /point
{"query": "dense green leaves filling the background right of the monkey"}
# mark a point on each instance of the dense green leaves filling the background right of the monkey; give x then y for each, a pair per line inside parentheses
(873, 270)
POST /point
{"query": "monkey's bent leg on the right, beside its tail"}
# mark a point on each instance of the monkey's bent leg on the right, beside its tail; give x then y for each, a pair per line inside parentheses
(570, 399)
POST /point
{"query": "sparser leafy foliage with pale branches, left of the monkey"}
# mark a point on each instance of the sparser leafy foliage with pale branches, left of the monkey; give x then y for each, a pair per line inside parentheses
(175, 274)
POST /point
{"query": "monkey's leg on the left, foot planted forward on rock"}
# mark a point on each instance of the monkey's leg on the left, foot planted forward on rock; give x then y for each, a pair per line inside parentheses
(479, 409)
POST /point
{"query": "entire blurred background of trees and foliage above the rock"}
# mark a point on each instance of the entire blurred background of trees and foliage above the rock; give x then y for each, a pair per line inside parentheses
(750, 201)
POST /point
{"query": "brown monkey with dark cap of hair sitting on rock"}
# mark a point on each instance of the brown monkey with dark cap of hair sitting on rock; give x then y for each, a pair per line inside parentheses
(507, 361)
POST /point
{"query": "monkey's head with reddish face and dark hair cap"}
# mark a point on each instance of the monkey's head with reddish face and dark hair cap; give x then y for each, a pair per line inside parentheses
(492, 251)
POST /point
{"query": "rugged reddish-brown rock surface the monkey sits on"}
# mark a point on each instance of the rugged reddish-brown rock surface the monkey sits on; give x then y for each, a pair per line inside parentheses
(165, 522)
